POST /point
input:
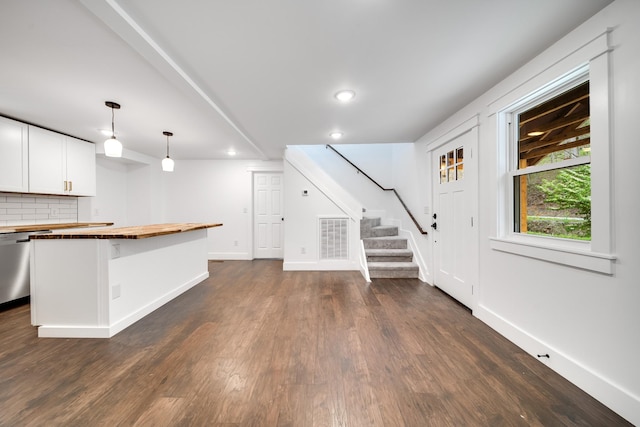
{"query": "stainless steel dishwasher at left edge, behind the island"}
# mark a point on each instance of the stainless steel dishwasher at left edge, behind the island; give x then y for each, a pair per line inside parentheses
(14, 266)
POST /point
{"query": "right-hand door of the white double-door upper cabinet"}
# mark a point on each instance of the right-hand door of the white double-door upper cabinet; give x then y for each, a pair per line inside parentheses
(81, 167)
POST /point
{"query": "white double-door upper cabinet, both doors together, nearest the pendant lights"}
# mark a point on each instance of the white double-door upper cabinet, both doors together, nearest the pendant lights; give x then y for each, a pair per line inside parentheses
(59, 164)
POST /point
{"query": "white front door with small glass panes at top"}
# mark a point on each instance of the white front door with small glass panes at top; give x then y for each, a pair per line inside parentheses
(452, 218)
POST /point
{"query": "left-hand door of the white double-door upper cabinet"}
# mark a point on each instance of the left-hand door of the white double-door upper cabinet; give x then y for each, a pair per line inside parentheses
(46, 161)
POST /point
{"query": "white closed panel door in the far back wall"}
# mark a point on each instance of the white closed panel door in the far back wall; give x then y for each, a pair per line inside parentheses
(268, 215)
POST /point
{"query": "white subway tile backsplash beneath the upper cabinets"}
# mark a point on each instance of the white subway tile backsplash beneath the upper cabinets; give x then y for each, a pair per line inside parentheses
(24, 209)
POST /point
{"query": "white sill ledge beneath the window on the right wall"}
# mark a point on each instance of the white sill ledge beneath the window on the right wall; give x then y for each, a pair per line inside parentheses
(569, 256)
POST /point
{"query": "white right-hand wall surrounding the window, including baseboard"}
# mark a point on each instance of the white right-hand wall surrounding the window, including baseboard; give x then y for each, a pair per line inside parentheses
(586, 321)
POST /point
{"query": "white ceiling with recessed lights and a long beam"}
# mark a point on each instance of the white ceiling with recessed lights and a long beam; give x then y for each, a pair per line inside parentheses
(257, 75)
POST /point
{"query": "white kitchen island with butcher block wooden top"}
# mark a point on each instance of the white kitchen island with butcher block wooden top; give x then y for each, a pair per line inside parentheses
(95, 283)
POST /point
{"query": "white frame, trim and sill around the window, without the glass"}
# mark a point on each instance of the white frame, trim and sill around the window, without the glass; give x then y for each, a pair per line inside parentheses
(591, 62)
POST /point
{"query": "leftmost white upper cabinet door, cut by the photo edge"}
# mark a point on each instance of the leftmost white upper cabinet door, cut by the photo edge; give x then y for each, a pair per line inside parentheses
(14, 156)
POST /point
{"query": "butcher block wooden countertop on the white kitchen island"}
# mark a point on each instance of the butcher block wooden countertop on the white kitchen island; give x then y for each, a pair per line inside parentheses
(136, 232)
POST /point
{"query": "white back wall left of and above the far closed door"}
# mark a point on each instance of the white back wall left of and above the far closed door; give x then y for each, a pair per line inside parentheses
(219, 191)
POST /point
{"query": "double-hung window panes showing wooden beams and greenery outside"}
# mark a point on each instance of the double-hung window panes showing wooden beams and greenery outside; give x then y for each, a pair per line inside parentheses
(552, 173)
